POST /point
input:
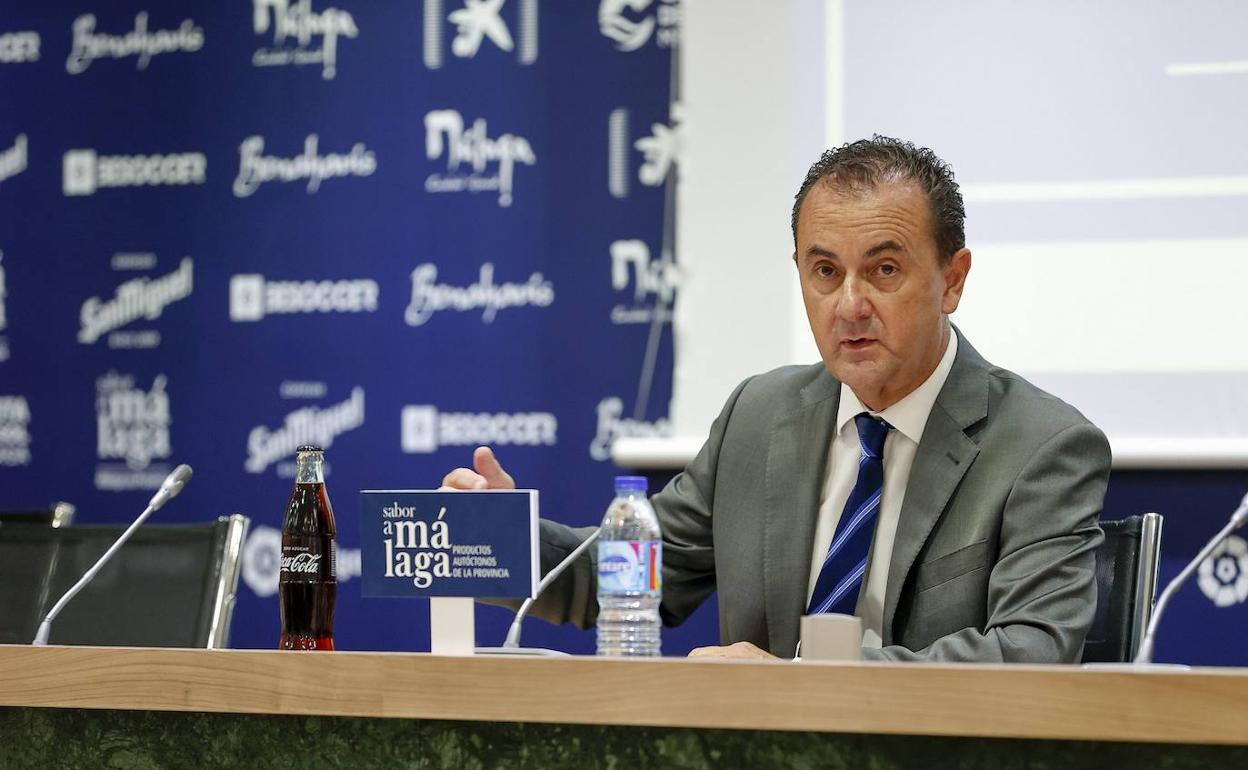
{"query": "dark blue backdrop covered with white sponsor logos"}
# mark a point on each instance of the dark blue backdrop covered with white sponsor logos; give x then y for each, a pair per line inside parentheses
(390, 228)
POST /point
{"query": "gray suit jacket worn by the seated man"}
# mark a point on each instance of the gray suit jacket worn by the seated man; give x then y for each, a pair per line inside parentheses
(994, 557)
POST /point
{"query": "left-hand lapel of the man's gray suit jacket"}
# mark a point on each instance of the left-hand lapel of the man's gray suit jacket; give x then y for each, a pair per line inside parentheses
(797, 464)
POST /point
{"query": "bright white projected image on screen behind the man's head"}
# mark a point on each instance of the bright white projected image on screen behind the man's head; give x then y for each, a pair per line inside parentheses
(1103, 154)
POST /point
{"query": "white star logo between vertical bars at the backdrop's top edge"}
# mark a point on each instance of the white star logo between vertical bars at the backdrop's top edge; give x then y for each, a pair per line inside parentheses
(477, 22)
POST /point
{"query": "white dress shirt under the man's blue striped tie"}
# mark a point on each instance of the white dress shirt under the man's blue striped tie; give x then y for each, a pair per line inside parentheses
(909, 417)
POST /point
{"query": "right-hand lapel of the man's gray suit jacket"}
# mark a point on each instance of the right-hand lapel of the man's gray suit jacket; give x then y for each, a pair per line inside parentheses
(944, 457)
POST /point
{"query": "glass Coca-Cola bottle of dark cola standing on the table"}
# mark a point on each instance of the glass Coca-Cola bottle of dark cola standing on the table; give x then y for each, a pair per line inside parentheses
(309, 581)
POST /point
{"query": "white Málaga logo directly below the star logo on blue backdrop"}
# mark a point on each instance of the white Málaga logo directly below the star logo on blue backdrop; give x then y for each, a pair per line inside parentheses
(476, 162)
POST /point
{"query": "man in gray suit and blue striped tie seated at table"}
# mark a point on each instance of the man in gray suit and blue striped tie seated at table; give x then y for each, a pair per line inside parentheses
(949, 504)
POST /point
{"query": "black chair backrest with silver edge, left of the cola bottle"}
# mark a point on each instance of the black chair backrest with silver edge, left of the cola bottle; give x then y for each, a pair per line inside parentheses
(169, 586)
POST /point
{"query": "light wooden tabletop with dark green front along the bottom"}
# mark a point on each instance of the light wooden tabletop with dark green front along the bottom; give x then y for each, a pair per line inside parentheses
(432, 708)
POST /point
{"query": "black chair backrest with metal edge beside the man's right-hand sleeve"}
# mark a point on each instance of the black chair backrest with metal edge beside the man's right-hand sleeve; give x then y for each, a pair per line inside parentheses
(1126, 582)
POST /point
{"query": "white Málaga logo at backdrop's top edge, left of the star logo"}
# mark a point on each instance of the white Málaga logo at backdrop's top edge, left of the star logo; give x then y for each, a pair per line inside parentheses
(301, 36)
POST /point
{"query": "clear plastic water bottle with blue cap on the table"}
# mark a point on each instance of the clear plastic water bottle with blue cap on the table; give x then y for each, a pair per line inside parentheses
(630, 573)
